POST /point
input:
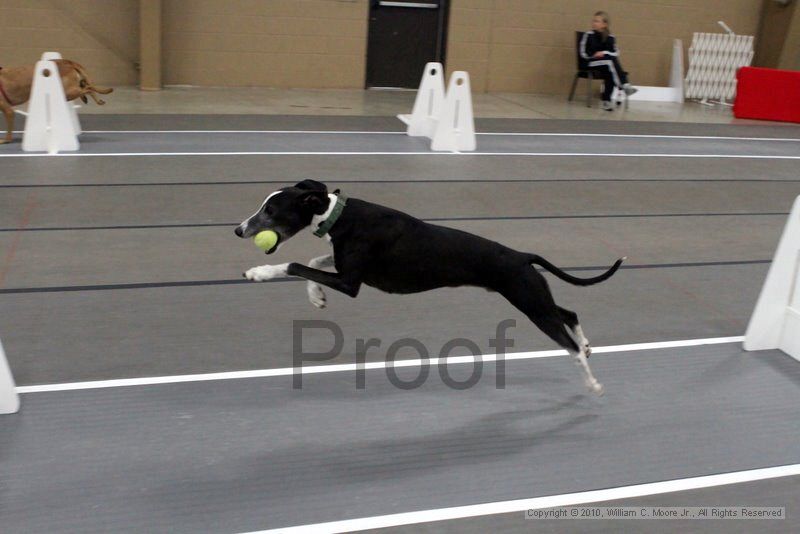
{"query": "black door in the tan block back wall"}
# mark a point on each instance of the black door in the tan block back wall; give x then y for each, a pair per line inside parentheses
(403, 36)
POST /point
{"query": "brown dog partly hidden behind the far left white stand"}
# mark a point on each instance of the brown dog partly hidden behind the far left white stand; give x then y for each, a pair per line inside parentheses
(16, 82)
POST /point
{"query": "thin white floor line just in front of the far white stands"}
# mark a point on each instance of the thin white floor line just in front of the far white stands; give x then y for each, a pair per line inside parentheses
(300, 153)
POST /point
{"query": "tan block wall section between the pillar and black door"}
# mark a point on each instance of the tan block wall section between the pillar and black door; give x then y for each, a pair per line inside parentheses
(274, 43)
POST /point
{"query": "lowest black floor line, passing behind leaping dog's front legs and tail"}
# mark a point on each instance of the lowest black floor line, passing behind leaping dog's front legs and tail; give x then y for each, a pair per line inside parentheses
(196, 283)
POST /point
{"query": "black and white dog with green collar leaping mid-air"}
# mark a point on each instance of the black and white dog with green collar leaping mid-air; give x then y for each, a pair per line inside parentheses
(397, 253)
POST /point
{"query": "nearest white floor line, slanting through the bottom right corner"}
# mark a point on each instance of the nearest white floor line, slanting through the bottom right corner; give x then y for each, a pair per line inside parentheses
(538, 503)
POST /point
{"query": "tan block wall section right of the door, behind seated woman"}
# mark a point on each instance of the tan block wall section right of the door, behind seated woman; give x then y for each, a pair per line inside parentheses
(529, 45)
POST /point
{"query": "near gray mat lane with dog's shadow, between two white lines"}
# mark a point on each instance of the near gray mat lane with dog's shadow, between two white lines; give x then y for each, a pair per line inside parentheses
(254, 453)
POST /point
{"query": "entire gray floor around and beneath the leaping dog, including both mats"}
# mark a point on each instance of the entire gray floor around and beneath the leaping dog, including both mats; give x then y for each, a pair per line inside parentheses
(119, 267)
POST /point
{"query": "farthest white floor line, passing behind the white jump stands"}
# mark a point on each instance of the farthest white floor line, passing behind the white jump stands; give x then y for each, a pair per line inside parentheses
(512, 134)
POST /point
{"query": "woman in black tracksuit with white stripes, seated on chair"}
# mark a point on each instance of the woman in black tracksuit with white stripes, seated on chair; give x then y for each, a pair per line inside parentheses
(599, 48)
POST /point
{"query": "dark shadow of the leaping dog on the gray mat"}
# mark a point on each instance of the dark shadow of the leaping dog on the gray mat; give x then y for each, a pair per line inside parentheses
(288, 476)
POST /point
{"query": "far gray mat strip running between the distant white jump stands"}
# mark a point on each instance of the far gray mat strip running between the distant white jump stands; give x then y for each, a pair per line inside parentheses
(489, 140)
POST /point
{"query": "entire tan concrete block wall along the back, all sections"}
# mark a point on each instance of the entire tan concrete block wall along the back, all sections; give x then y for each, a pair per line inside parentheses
(506, 45)
